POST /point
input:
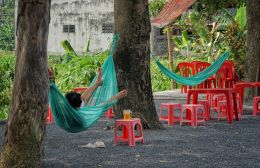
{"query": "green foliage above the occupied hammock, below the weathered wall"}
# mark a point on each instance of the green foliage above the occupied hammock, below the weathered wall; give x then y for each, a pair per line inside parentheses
(79, 71)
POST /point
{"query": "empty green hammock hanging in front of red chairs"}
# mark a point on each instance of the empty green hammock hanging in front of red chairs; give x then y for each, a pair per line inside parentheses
(197, 78)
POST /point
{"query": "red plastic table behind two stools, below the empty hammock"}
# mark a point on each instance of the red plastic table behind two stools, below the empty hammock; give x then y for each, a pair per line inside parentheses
(228, 92)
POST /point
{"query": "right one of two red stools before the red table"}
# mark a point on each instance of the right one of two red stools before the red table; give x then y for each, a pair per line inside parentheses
(192, 114)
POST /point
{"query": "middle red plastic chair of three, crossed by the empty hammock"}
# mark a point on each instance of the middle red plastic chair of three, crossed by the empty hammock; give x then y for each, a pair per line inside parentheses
(211, 81)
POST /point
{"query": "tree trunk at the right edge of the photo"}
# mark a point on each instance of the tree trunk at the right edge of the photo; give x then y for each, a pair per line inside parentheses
(253, 40)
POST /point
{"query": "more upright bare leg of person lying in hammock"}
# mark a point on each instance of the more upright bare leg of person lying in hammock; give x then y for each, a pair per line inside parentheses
(88, 93)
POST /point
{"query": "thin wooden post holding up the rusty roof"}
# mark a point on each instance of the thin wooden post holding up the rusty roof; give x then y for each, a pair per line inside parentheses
(170, 51)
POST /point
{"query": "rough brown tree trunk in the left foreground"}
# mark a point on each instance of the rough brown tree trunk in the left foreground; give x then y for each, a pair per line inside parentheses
(25, 129)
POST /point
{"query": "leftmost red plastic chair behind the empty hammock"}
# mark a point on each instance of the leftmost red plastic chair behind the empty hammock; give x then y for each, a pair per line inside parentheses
(186, 69)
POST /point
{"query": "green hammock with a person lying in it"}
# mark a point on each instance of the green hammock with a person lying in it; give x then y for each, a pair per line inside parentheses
(77, 120)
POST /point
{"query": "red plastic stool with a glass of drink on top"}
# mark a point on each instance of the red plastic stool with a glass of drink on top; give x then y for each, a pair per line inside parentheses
(128, 131)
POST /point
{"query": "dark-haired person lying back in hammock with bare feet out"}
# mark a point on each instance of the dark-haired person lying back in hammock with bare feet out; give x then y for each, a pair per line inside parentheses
(77, 100)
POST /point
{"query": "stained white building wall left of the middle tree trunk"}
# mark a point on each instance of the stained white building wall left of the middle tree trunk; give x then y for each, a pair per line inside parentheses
(88, 17)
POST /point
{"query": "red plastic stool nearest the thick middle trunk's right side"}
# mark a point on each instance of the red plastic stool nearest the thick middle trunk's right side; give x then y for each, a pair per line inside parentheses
(170, 118)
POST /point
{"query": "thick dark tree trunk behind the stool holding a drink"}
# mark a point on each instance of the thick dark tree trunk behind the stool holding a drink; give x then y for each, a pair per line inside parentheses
(132, 60)
